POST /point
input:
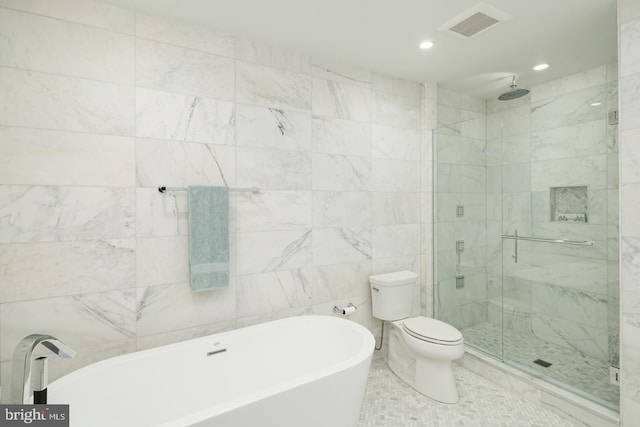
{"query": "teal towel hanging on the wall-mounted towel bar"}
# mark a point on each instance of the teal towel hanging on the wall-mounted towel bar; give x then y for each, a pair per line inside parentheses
(208, 237)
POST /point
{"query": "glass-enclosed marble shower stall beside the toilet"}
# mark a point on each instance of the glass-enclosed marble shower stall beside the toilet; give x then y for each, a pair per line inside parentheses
(526, 231)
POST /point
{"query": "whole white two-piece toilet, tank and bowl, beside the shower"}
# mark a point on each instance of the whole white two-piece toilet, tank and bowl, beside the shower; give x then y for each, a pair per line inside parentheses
(420, 349)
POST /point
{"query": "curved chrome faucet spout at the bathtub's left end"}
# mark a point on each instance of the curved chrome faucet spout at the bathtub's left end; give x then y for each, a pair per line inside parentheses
(21, 364)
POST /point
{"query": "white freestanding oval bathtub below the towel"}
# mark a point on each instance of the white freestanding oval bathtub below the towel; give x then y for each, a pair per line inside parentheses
(301, 371)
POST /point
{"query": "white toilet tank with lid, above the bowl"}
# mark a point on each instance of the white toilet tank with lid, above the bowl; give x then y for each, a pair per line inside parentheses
(391, 294)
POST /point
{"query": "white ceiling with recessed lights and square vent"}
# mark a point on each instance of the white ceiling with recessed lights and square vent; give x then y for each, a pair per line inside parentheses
(383, 35)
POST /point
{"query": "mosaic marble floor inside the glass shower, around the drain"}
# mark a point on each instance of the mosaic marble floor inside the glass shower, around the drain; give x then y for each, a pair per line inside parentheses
(585, 375)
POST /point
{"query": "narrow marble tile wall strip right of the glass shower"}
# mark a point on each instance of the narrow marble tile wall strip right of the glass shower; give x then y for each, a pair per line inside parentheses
(629, 128)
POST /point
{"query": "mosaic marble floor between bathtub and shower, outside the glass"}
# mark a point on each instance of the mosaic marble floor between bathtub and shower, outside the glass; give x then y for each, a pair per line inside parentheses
(389, 402)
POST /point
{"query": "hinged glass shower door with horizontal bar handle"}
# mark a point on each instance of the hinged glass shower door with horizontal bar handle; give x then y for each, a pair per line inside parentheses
(559, 222)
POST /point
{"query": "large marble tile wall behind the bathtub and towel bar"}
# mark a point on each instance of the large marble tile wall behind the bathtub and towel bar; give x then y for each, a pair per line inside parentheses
(102, 105)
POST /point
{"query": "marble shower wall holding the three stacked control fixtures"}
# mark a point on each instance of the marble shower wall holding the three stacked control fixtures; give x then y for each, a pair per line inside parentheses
(461, 181)
